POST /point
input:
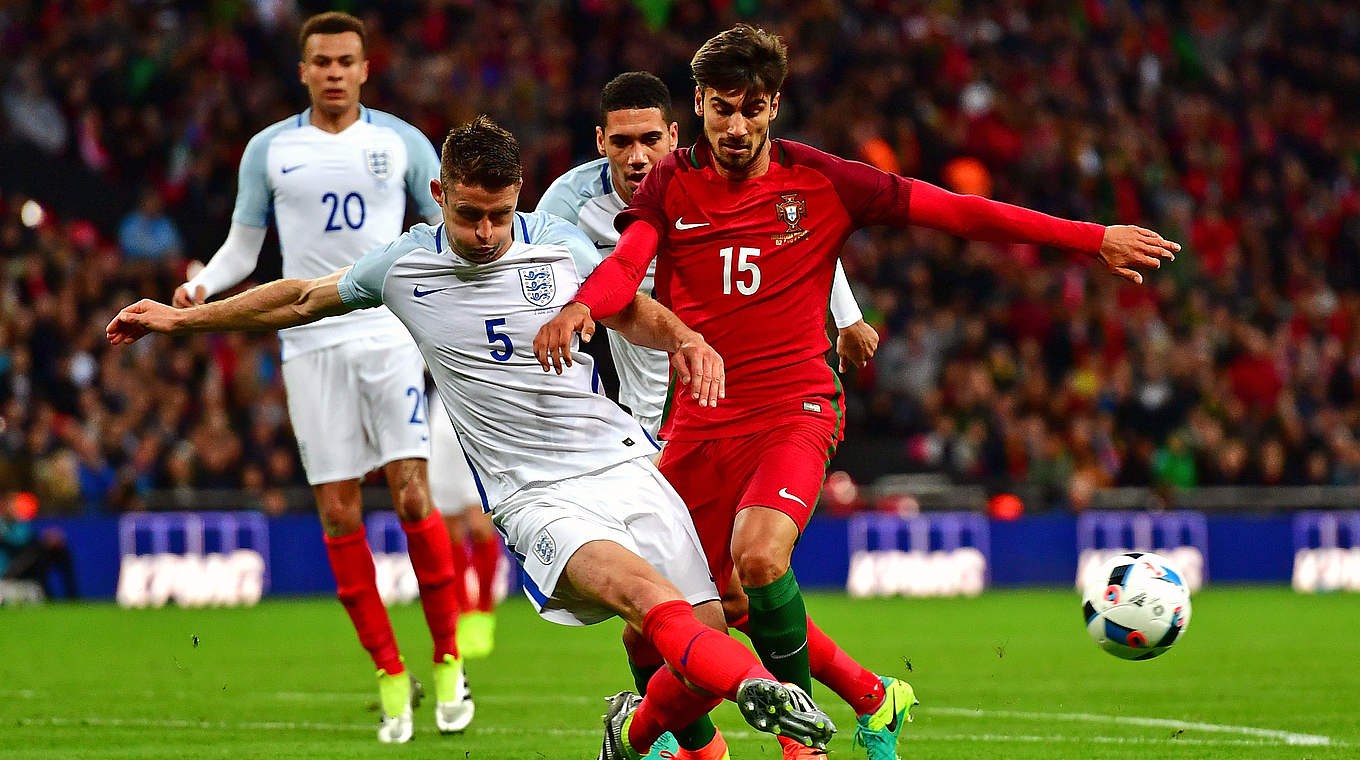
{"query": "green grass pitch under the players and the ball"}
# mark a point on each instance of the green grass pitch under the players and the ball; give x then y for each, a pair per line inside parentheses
(1008, 675)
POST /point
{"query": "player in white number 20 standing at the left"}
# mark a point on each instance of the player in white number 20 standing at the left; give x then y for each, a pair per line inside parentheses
(335, 179)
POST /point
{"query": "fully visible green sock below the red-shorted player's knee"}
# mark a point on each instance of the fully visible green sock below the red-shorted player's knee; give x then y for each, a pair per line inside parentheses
(780, 630)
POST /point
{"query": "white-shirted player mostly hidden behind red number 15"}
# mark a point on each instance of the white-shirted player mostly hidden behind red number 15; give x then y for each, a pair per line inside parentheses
(636, 131)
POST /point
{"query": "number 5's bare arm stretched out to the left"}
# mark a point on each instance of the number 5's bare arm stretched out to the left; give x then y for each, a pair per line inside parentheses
(282, 304)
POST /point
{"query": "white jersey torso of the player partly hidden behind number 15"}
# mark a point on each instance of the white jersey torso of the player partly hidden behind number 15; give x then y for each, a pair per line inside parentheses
(587, 198)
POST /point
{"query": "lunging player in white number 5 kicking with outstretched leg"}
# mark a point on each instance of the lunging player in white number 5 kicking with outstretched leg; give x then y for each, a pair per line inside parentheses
(565, 472)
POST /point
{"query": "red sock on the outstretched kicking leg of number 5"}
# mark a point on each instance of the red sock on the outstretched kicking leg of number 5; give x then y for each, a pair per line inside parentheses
(708, 659)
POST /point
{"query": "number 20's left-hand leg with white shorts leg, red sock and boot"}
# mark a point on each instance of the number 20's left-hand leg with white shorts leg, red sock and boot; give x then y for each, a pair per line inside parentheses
(323, 396)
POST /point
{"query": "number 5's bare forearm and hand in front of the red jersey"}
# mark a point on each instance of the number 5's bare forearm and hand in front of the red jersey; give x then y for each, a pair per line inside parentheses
(647, 323)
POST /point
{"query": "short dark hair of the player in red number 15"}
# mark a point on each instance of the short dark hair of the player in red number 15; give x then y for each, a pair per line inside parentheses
(743, 58)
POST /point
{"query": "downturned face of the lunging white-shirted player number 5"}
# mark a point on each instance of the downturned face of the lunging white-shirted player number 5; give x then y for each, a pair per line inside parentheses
(479, 221)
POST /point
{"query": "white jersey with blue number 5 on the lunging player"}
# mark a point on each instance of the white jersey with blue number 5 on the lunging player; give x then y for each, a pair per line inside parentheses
(475, 327)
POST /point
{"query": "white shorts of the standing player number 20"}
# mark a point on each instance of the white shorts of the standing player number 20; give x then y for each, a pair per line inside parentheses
(357, 406)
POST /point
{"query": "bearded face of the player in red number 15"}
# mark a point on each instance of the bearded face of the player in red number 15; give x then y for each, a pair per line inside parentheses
(738, 127)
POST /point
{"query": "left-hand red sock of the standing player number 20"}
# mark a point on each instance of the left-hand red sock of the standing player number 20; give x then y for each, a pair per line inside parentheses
(352, 562)
